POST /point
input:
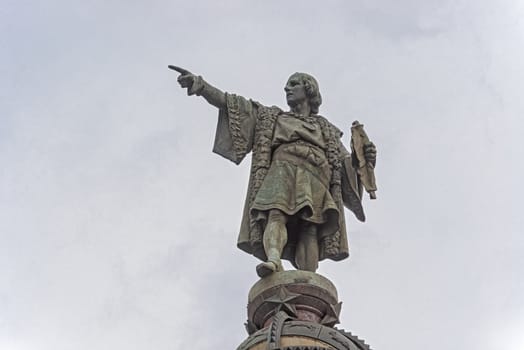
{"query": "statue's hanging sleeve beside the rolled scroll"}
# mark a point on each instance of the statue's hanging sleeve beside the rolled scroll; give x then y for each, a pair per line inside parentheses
(351, 186)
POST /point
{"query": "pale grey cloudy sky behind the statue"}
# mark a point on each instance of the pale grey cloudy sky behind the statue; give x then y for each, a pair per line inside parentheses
(118, 224)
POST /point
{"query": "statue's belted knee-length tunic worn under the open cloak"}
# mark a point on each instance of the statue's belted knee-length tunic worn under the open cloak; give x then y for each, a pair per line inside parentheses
(298, 179)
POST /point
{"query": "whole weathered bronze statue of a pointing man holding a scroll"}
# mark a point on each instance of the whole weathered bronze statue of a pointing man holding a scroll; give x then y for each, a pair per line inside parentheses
(301, 174)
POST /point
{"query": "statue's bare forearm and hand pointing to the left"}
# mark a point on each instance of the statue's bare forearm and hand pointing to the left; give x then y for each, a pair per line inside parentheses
(197, 86)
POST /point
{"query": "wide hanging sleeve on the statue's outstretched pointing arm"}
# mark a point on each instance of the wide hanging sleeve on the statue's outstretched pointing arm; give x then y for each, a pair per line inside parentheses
(235, 128)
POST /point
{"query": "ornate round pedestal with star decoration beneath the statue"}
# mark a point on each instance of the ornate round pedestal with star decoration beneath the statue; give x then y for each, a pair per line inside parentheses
(296, 310)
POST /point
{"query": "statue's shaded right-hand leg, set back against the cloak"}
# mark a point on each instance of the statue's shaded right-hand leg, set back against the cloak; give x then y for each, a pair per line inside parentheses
(306, 254)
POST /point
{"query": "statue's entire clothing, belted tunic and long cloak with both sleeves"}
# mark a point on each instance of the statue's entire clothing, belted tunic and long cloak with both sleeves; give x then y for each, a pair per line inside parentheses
(299, 166)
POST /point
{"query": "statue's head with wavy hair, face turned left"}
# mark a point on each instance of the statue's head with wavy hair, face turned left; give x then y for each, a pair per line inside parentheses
(302, 86)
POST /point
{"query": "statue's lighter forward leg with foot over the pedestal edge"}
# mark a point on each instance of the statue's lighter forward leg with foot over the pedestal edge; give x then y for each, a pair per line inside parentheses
(275, 239)
